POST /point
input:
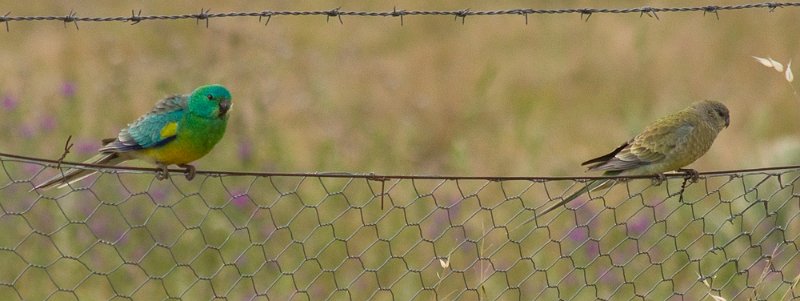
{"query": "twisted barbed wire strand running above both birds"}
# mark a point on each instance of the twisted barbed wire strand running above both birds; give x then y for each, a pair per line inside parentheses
(206, 14)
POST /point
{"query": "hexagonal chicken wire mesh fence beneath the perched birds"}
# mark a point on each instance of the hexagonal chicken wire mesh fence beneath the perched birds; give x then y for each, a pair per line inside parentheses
(124, 234)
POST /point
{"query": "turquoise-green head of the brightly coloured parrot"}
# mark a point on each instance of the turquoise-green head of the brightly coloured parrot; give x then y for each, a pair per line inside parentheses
(211, 101)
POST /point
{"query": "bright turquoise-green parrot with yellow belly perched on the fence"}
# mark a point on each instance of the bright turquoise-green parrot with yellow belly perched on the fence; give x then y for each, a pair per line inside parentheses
(178, 130)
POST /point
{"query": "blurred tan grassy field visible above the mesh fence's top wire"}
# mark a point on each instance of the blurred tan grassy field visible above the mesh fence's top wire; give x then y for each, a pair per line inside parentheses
(489, 97)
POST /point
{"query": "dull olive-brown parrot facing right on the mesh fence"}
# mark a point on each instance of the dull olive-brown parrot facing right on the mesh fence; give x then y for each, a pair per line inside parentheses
(669, 143)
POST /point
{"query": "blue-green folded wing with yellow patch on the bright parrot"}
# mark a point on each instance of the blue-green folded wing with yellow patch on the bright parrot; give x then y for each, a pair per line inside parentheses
(153, 129)
